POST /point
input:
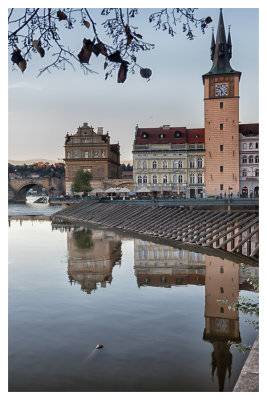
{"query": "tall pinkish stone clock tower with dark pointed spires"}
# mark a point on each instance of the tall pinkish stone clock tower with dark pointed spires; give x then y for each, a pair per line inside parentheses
(221, 99)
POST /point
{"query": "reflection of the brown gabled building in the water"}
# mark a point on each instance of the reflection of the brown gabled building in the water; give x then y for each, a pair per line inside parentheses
(92, 256)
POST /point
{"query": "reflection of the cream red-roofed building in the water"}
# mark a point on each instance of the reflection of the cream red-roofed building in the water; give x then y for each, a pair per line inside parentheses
(160, 265)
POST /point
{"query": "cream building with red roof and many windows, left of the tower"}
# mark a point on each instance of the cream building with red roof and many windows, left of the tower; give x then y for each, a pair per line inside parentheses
(169, 160)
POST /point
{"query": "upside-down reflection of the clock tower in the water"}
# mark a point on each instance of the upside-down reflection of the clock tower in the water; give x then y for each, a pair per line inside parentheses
(221, 324)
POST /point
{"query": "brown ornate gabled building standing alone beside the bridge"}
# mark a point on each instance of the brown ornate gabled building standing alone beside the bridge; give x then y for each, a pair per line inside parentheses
(91, 151)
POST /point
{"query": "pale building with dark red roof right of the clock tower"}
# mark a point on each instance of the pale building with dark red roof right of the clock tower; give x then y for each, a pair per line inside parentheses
(249, 159)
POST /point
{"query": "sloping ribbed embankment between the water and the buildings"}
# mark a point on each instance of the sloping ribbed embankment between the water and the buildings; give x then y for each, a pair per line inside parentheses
(214, 229)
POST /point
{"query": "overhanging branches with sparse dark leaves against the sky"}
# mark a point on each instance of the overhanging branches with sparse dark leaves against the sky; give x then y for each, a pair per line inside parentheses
(39, 31)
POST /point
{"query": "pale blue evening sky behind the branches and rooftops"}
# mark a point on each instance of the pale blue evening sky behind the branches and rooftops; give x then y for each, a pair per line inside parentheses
(41, 110)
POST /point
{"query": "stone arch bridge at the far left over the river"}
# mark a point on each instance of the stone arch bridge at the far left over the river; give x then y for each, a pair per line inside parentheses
(17, 188)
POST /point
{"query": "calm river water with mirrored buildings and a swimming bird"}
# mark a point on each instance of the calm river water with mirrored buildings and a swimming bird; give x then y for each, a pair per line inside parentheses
(153, 307)
